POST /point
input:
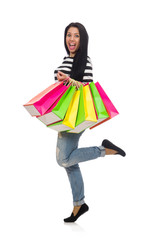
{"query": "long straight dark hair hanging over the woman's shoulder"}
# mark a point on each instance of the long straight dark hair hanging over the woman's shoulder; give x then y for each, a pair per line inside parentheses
(80, 59)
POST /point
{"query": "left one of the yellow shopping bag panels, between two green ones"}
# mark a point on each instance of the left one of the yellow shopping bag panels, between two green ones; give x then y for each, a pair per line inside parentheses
(71, 114)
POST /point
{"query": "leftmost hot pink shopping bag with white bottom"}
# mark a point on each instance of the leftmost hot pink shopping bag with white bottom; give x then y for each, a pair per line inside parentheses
(42, 102)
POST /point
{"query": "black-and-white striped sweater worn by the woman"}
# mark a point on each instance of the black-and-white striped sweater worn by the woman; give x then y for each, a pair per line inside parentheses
(66, 67)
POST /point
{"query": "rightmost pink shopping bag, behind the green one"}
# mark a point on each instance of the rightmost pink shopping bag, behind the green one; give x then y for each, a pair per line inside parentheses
(110, 108)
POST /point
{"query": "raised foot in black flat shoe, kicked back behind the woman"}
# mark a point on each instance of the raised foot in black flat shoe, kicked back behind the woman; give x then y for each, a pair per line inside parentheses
(111, 149)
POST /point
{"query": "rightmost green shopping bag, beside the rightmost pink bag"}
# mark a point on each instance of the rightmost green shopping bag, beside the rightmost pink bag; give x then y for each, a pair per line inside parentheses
(101, 111)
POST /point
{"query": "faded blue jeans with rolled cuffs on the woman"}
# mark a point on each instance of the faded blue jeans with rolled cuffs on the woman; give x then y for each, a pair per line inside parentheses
(68, 155)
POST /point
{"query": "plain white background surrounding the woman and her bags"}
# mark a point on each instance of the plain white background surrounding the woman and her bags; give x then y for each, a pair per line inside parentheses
(122, 193)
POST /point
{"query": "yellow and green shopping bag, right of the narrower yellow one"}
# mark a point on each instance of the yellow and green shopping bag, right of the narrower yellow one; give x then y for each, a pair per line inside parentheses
(86, 115)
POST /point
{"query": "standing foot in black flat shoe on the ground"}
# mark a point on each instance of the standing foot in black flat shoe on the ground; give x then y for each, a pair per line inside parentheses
(77, 212)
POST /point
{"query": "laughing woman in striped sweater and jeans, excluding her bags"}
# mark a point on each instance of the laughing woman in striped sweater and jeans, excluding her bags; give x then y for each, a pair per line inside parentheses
(77, 67)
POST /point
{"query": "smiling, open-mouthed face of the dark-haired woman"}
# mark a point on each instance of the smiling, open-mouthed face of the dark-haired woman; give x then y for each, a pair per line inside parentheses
(73, 40)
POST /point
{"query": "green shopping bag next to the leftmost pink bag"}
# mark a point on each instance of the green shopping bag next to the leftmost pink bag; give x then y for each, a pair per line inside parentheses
(59, 110)
